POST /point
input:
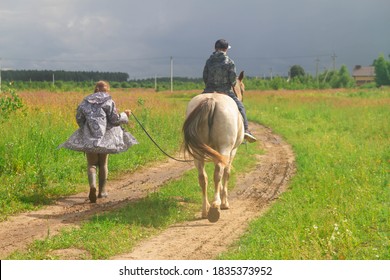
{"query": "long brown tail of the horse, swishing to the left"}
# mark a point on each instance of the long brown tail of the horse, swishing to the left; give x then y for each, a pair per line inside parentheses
(201, 117)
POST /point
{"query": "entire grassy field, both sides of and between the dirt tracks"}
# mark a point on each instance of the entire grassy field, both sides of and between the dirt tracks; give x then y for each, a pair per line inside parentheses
(337, 206)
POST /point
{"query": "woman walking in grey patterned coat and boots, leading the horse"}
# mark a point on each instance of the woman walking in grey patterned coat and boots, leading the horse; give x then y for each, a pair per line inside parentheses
(99, 135)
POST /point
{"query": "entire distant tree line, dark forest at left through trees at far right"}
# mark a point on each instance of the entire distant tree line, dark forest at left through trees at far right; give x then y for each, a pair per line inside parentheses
(296, 80)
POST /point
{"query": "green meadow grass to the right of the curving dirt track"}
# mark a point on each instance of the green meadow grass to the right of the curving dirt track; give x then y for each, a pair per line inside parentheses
(337, 206)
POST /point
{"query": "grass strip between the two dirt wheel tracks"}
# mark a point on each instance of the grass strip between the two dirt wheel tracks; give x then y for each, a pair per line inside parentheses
(110, 234)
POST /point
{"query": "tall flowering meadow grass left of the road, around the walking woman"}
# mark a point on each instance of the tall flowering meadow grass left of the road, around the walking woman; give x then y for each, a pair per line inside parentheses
(34, 172)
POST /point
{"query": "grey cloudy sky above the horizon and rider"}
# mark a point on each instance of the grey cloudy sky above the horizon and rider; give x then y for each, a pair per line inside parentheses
(140, 37)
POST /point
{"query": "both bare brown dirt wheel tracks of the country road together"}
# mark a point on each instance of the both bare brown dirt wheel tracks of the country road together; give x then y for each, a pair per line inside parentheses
(198, 239)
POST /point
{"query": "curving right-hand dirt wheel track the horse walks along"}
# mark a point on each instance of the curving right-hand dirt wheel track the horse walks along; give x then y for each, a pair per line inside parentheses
(200, 239)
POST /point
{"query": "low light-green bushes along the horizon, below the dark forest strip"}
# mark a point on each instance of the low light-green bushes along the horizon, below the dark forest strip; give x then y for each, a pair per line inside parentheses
(329, 79)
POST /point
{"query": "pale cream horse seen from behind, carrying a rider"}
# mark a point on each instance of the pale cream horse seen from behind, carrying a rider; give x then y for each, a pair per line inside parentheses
(213, 130)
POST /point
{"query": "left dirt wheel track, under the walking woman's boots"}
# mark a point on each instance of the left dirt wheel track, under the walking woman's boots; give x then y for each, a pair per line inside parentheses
(20, 230)
